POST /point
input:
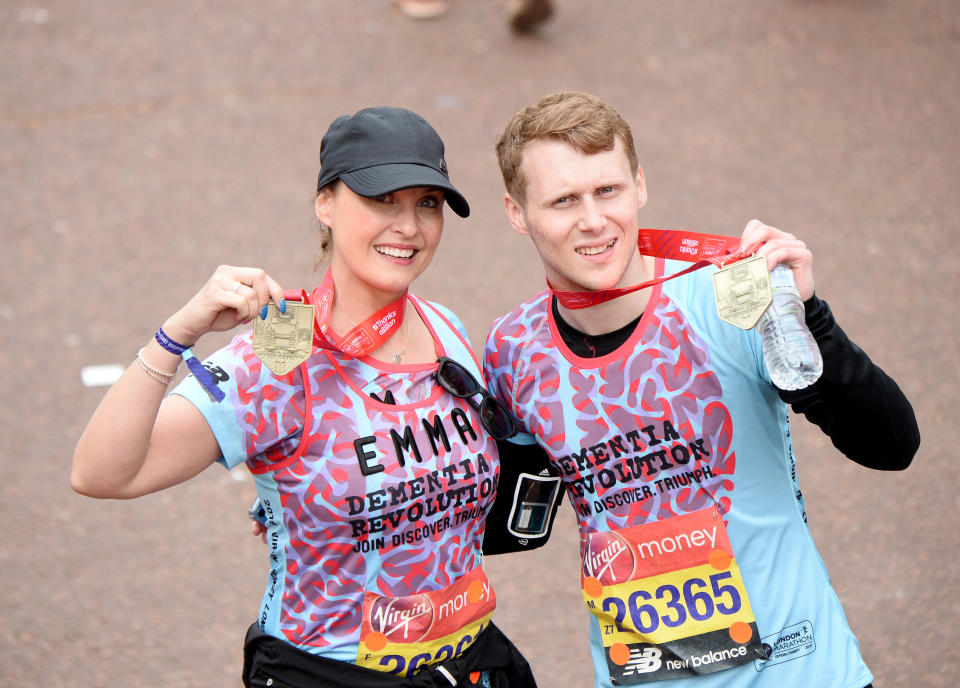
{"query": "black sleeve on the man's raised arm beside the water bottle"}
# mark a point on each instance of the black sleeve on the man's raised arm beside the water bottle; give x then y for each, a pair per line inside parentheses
(858, 406)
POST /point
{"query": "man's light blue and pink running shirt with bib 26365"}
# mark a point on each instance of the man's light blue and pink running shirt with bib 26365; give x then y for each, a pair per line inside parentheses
(676, 455)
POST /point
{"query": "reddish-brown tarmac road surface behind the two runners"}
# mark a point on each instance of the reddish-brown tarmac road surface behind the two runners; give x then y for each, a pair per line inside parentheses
(143, 144)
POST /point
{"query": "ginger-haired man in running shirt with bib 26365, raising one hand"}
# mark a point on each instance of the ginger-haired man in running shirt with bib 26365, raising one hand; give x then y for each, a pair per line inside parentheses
(671, 441)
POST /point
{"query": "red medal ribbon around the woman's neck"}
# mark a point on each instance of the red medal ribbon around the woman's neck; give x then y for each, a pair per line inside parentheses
(368, 336)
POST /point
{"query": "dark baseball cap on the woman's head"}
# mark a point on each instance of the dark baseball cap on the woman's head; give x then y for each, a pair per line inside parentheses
(384, 149)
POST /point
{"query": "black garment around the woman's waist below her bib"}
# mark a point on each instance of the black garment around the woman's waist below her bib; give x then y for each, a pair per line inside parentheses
(269, 662)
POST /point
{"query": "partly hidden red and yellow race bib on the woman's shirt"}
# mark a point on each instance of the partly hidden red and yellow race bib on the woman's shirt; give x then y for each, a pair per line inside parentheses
(400, 635)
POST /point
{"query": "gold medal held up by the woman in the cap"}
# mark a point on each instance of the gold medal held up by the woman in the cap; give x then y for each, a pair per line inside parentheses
(284, 340)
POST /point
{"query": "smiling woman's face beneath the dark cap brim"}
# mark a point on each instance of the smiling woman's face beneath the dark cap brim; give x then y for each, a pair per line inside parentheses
(380, 244)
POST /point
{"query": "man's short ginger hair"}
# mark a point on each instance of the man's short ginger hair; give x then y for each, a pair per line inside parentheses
(578, 119)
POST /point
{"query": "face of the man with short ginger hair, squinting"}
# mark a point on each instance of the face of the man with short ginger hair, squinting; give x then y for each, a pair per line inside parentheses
(580, 210)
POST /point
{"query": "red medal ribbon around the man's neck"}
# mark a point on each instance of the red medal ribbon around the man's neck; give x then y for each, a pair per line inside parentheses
(692, 247)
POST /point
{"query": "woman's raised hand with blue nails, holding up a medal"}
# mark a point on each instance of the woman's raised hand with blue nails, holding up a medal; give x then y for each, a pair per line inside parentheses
(232, 296)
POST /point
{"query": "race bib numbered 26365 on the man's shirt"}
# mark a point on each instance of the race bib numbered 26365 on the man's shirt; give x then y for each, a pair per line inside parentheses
(669, 599)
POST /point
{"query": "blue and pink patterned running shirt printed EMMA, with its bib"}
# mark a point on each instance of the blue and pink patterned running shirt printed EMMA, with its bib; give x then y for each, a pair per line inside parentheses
(375, 482)
